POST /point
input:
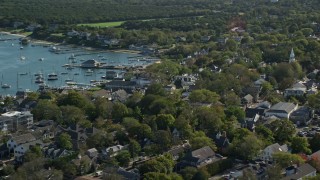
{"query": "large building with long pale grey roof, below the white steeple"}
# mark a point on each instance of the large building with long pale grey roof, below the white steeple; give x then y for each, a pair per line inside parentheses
(281, 110)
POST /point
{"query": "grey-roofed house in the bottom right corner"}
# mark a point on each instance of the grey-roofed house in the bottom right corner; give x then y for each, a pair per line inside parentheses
(300, 172)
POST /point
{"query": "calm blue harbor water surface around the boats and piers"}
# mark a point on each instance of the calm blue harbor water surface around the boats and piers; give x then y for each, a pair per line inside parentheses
(11, 65)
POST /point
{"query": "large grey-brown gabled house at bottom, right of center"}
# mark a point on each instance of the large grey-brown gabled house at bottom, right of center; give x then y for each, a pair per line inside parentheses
(200, 157)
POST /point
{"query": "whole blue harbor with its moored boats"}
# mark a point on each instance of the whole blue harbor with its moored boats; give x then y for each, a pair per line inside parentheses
(41, 65)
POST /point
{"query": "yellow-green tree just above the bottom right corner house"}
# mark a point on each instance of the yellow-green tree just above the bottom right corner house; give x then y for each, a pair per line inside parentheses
(284, 159)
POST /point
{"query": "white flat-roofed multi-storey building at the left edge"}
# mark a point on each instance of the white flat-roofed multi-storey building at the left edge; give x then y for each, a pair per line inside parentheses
(15, 120)
